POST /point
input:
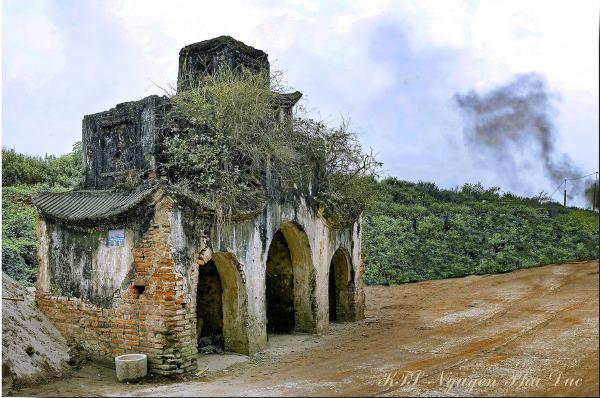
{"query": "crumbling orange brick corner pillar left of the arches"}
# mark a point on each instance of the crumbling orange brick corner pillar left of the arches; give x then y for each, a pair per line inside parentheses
(164, 309)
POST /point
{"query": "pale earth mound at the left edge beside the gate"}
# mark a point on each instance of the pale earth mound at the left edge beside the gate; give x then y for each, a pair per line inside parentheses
(33, 351)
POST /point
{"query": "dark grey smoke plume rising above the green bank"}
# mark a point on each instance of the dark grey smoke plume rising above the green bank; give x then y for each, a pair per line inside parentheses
(514, 121)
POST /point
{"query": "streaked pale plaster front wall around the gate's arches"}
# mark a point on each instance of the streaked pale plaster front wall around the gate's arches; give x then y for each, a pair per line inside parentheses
(316, 243)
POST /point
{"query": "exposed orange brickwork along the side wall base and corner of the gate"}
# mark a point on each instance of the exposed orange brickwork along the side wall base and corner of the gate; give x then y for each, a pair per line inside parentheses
(155, 315)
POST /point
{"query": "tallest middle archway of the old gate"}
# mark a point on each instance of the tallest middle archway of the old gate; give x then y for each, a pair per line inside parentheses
(290, 282)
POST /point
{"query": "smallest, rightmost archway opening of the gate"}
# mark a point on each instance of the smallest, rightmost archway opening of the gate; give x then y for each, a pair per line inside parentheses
(341, 287)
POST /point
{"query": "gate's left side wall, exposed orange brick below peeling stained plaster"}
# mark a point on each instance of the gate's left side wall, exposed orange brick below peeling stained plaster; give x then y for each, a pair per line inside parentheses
(151, 311)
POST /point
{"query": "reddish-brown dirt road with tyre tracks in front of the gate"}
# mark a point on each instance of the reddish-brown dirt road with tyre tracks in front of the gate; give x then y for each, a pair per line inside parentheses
(526, 333)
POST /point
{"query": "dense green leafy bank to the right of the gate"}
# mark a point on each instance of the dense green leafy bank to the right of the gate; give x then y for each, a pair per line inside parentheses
(417, 231)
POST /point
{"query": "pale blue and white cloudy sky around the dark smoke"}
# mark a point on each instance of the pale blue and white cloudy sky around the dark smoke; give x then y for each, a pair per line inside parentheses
(392, 68)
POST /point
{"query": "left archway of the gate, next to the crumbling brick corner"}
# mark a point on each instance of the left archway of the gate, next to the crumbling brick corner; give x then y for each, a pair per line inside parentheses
(221, 304)
